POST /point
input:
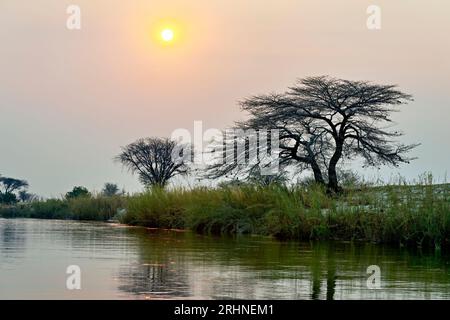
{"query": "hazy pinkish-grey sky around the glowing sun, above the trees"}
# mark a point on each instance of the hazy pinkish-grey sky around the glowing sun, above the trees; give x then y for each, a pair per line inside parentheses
(70, 98)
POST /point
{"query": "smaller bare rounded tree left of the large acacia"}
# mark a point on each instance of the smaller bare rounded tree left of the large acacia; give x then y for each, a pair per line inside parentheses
(155, 160)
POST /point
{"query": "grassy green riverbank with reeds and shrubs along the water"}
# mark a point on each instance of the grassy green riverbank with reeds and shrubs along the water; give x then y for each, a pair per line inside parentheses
(417, 216)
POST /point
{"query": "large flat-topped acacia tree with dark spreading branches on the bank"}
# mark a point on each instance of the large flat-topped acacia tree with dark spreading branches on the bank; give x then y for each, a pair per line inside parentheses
(322, 120)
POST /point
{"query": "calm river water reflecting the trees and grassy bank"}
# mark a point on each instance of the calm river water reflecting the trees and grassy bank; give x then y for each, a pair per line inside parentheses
(119, 262)
